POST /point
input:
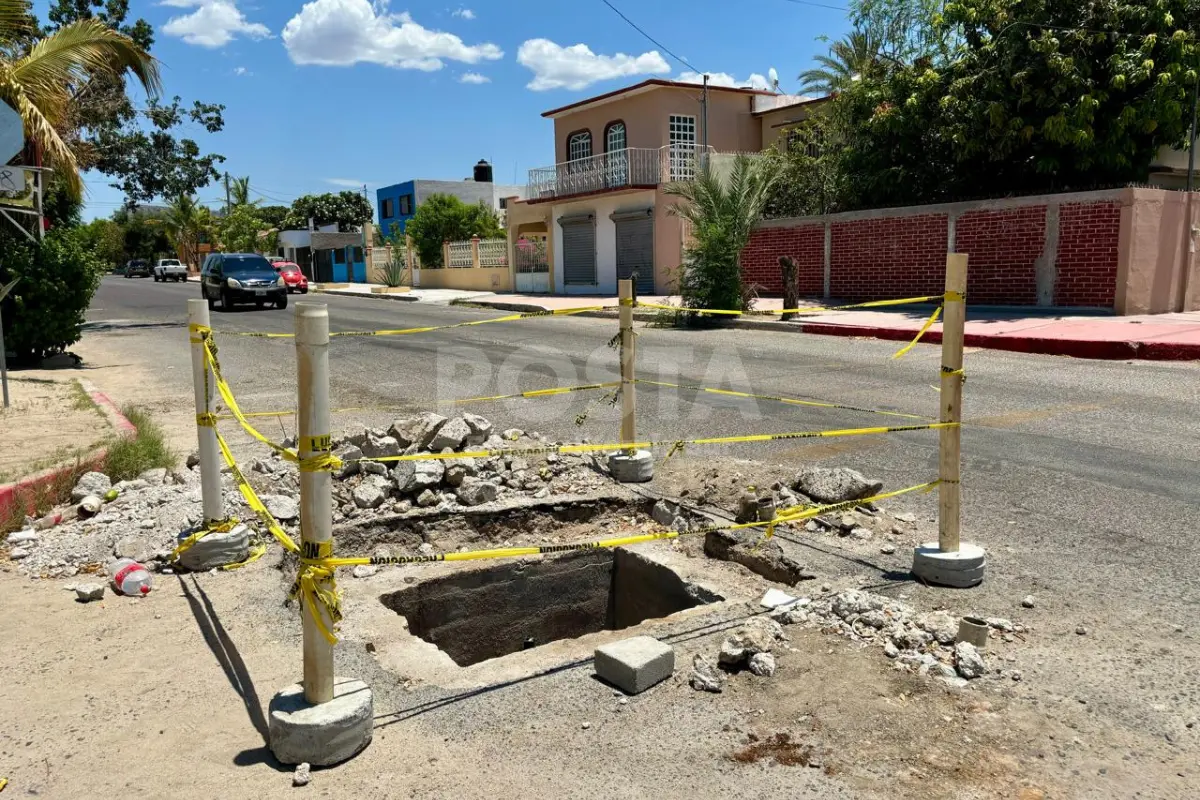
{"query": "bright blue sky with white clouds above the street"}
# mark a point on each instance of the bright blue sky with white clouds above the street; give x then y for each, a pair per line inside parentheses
(329, 94)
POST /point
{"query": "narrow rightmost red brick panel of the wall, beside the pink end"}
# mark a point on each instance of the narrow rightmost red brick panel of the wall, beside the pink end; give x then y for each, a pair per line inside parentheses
(1089, 239)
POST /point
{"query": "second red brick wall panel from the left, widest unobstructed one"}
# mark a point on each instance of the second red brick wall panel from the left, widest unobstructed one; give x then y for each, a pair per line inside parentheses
(889, 257)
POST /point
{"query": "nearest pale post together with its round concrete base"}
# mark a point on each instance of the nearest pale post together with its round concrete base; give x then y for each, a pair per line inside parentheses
(323, 720)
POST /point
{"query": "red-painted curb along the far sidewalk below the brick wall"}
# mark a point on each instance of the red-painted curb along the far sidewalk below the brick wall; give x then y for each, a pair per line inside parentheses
(1097, 350)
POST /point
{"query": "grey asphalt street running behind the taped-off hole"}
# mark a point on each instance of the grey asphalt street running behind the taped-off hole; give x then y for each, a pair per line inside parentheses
(1079, 478)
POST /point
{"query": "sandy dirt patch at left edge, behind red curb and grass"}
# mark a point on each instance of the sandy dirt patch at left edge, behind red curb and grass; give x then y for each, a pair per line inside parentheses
(49, 422)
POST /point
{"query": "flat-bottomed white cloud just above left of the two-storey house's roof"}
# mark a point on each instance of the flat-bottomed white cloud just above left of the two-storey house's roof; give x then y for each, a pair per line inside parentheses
(578, 68)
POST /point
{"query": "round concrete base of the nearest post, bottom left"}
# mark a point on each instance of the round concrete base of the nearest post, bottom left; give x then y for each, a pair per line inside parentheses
(323, 735)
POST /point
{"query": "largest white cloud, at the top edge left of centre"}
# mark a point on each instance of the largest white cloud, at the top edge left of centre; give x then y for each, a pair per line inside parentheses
(341, 33)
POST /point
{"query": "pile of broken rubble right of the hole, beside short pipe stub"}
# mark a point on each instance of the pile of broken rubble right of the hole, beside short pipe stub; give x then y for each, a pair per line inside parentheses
(921, 643)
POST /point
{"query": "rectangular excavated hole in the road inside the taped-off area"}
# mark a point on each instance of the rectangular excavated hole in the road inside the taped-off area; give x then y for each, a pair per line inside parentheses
(494, 612)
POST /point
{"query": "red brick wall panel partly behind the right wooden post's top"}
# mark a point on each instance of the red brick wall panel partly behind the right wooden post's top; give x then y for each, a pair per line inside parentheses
(1005, 248)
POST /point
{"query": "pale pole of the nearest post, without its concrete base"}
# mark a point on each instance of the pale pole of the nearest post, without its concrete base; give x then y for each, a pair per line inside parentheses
(316, 489)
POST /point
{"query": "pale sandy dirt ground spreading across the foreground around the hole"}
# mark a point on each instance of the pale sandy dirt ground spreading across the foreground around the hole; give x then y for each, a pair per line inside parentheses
(166, 696)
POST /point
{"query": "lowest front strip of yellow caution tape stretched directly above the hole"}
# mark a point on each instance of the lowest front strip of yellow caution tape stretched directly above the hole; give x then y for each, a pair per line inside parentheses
(796, 514)
